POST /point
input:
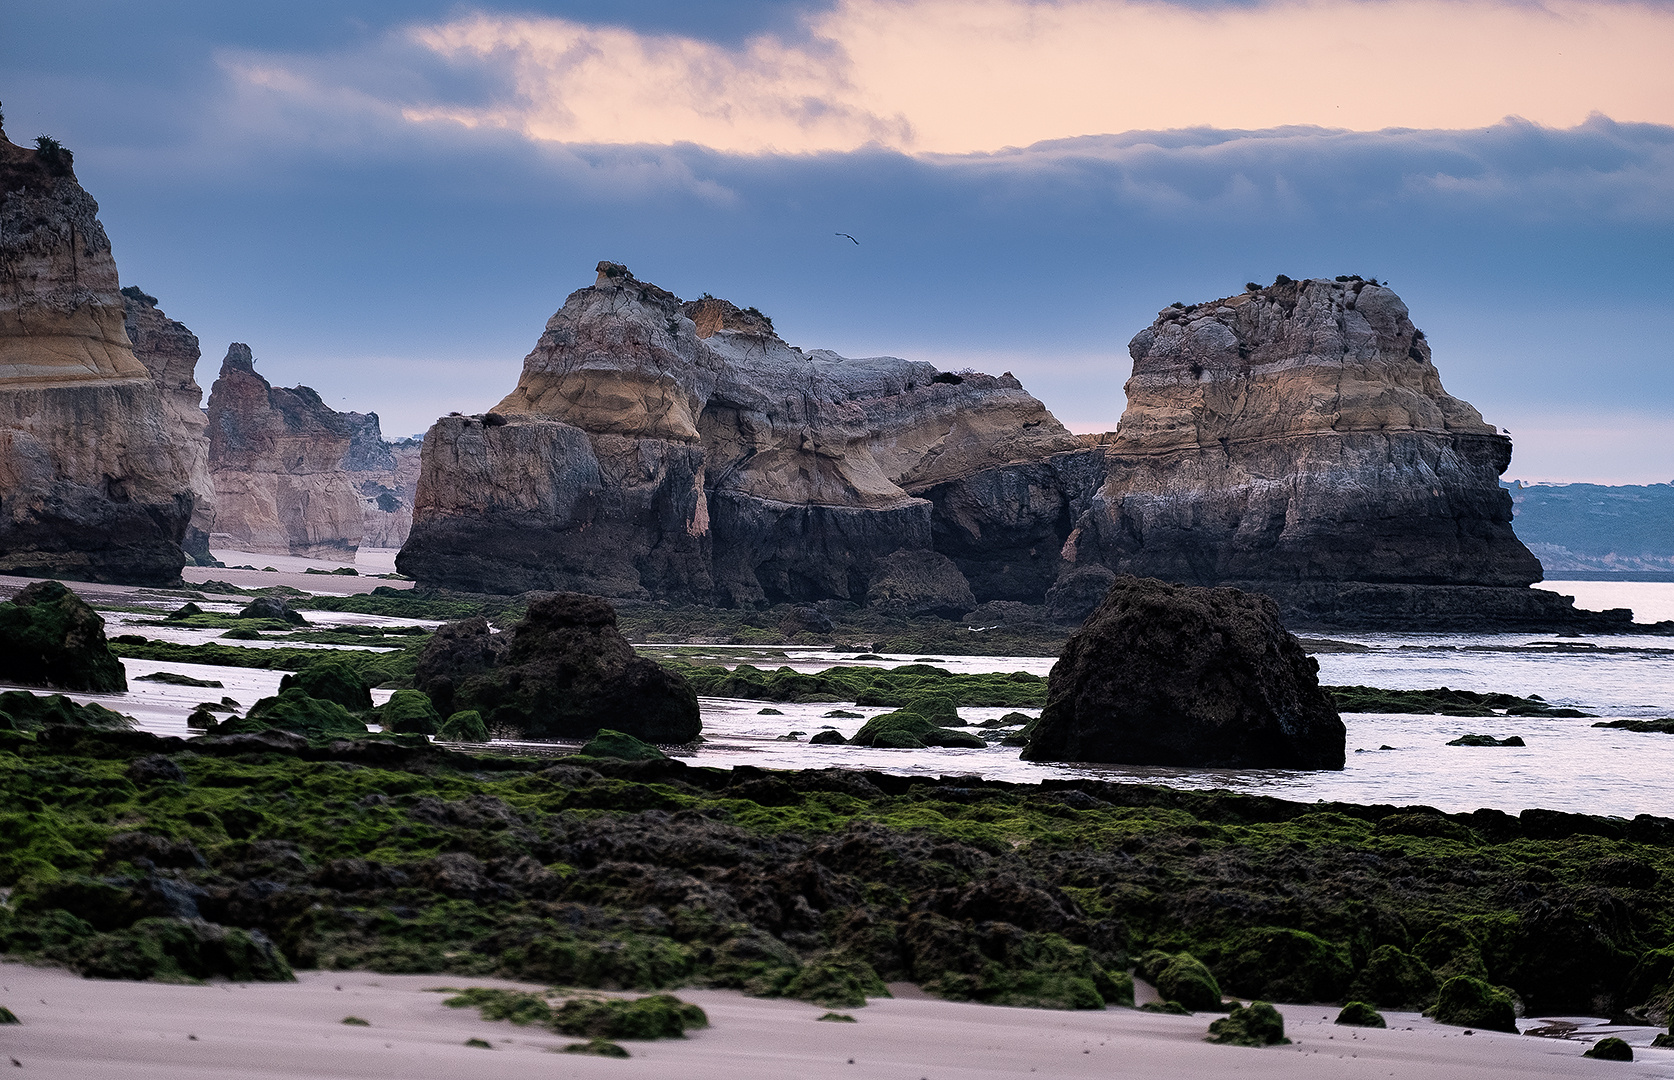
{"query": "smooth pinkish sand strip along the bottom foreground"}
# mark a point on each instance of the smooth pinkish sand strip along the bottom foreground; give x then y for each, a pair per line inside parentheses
(98, 1031)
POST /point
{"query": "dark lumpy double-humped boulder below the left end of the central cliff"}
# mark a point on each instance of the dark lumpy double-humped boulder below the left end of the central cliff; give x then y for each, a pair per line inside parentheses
(563, 672)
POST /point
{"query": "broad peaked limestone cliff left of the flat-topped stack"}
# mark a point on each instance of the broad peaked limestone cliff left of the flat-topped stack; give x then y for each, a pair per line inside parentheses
(660, 448)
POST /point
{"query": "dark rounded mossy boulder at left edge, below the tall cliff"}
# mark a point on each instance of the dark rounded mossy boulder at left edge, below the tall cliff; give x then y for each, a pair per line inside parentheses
(49, 637)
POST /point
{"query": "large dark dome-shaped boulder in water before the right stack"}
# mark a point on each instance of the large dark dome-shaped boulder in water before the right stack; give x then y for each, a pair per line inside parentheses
(1183, 676)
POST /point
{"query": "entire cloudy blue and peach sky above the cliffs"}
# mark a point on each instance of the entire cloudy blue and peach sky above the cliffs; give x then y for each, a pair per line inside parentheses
(388, 202)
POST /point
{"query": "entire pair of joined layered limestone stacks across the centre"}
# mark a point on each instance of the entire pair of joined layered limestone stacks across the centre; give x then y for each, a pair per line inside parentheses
(1295, 441)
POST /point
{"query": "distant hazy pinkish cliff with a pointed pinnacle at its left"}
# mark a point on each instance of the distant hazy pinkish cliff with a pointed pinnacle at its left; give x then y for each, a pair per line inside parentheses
(277, 458)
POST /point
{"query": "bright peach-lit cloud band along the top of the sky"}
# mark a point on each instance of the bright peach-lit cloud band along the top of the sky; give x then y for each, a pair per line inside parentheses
(967, 76)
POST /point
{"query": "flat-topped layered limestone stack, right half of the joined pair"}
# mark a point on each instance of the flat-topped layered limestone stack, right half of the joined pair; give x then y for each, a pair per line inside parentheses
(1298, 441)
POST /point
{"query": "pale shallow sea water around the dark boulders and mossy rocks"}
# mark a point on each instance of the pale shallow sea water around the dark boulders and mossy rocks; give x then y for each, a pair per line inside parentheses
(1568, 764)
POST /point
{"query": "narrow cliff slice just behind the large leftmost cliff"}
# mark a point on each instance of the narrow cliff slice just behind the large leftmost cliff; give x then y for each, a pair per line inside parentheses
(170, 352)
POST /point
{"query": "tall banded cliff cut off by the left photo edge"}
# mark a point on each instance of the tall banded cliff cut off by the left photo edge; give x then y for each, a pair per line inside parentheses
(95, 470)
